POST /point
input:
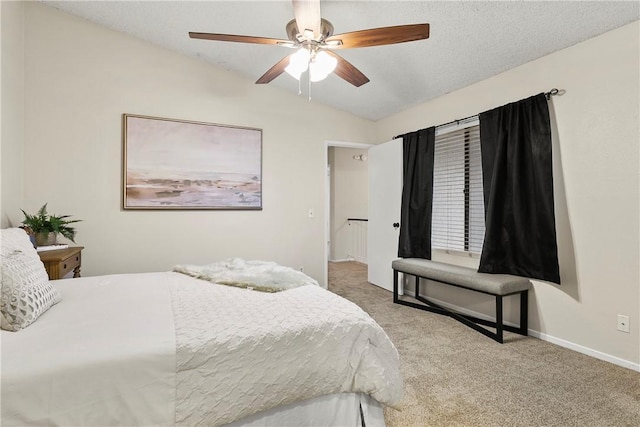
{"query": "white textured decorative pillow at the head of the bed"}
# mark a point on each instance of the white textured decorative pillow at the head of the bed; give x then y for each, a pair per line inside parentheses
(26, 291)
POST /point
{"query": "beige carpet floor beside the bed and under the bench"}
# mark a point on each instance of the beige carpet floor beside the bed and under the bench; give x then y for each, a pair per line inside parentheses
(455, 376)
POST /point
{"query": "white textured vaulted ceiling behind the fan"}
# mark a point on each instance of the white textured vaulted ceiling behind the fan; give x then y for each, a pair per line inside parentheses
(469, 42)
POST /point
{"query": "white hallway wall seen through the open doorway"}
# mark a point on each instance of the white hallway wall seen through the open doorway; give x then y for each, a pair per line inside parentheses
(350, 199)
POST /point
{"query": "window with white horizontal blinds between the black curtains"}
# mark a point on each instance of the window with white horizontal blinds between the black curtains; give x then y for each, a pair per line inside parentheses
(458, 204)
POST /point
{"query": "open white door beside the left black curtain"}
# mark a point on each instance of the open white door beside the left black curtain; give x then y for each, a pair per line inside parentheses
(385, 193)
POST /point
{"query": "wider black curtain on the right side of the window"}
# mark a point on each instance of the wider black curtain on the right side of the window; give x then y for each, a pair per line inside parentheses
(520, 236)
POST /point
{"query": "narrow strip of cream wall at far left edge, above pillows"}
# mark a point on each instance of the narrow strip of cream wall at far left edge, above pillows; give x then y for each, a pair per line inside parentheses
(12, 117)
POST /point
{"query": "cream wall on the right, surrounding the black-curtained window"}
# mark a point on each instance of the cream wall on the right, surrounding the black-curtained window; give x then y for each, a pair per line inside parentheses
(597, 192)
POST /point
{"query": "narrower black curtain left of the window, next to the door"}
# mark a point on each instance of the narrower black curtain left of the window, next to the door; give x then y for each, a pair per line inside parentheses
(417, 192)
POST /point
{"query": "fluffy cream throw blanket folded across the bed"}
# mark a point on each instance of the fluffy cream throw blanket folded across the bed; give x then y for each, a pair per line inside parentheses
(262, 276)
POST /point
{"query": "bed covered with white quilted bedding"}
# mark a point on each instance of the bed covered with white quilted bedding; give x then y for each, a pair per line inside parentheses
(167, 348)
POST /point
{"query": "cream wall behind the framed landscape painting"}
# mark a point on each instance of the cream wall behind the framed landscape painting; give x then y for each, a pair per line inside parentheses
(81, 78)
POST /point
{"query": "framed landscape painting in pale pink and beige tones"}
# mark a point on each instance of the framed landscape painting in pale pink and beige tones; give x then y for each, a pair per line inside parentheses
(179, 164)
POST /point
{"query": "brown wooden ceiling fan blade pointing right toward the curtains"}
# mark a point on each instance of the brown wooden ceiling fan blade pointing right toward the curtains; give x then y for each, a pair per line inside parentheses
(379, 36)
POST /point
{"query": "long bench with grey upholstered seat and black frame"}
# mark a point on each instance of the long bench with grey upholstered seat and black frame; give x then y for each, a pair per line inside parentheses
(498, 285)
